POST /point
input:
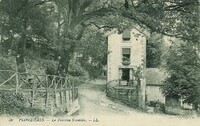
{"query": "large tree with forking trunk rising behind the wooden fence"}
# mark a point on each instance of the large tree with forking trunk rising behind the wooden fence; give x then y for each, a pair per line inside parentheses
(72, 20)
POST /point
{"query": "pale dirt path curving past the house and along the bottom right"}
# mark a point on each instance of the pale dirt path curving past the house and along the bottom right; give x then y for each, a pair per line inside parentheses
(95, 104)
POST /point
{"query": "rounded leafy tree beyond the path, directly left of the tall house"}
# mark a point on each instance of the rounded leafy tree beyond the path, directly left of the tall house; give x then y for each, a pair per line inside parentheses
(93, 57)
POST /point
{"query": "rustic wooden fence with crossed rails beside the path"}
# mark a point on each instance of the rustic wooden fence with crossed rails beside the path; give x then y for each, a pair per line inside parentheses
(50, 92)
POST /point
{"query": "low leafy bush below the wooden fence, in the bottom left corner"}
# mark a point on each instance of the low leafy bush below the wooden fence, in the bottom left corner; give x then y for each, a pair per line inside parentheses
(12, 103)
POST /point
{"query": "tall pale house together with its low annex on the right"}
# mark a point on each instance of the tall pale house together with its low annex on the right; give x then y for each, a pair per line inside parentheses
(128, 79)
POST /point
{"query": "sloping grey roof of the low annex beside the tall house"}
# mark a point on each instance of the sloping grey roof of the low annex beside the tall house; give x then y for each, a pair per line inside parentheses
(154, 76)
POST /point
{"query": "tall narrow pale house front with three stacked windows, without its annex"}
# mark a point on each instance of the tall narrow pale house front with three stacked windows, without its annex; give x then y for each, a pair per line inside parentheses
(126, 59)
